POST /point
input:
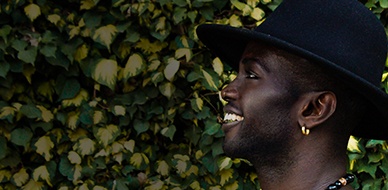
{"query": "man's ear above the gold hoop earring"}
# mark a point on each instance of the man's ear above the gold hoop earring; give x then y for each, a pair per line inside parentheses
(316, 108)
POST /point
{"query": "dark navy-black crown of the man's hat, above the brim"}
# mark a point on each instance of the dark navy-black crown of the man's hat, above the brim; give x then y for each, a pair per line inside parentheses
(341, 31)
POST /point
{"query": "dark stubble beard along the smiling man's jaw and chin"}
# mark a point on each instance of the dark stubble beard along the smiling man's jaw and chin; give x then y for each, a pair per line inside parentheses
(267, 149)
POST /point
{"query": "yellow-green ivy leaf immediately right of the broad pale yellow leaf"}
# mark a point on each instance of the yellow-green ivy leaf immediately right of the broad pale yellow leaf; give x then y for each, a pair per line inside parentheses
(134, 66)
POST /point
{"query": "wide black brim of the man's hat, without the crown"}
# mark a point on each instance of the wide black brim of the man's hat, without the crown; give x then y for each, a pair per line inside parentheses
(228, 43)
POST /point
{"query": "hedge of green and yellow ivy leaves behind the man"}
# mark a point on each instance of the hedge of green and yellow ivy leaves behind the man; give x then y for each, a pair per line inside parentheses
(120, 94)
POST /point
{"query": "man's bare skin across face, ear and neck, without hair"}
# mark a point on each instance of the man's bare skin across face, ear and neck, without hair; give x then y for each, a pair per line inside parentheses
(269, 135)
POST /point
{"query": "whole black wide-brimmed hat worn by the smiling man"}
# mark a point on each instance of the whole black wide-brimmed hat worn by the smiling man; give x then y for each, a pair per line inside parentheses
(342, 36)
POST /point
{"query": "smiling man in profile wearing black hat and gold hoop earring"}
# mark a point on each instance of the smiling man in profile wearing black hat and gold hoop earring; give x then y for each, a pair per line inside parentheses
(308, 78)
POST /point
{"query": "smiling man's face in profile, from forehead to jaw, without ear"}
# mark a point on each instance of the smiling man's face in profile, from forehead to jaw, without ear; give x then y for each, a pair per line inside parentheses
(259, 116)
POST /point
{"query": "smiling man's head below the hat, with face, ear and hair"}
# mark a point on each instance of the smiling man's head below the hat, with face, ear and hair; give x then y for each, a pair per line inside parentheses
(274, 94)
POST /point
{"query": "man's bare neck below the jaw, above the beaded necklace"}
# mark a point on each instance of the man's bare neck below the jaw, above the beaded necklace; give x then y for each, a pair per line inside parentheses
(314, 166)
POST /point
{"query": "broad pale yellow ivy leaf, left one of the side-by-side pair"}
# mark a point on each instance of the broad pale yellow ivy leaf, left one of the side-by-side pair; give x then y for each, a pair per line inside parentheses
(106, 72)
